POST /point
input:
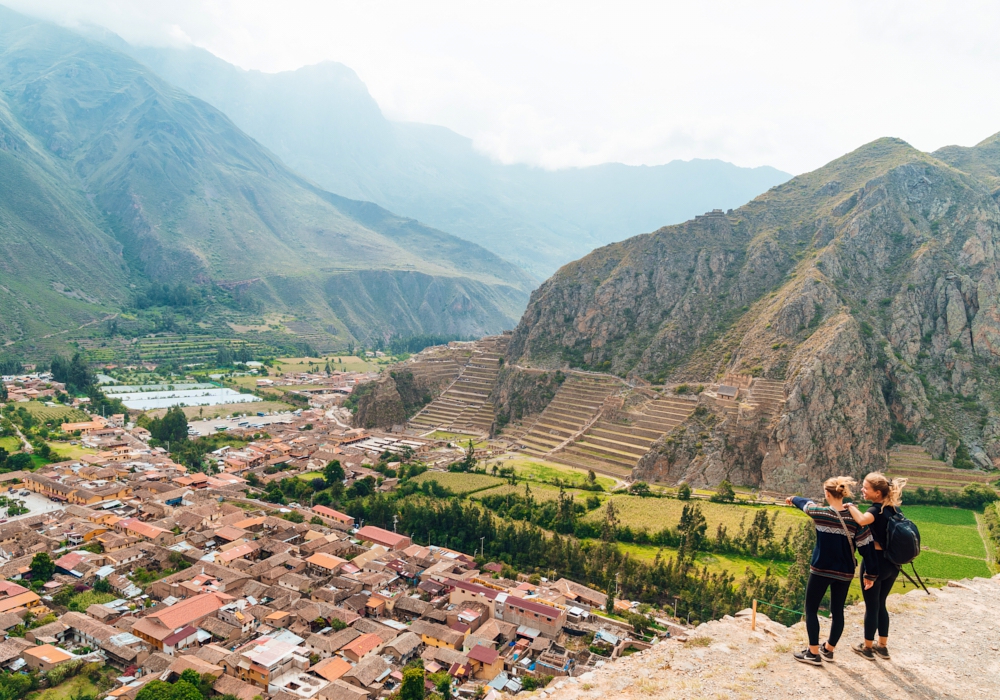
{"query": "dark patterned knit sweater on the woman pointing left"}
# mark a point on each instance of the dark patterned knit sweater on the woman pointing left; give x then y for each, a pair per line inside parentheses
(833, 555)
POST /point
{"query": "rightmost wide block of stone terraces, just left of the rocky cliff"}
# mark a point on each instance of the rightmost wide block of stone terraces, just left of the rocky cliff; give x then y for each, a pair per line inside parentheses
(614, 444)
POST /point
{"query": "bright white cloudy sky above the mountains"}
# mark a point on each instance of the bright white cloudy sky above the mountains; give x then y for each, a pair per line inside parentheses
(557, 84)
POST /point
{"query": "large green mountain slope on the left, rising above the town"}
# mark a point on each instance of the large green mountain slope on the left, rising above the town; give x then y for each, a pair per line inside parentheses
(162, 187)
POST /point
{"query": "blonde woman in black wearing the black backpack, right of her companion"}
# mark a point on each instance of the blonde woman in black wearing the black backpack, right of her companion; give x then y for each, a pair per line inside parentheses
(885, 495)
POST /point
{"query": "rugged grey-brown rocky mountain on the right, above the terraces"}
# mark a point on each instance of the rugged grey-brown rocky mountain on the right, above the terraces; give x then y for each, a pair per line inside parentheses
(870, 287)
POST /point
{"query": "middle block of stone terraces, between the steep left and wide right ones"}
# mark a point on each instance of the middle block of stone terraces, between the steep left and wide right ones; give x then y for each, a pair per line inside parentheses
(574, 407)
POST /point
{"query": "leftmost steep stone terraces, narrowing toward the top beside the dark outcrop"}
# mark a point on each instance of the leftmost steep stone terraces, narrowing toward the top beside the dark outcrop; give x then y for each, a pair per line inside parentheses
(464, 407)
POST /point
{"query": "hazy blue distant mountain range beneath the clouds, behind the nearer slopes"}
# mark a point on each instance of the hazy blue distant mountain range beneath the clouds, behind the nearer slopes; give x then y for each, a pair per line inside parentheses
(321, 120)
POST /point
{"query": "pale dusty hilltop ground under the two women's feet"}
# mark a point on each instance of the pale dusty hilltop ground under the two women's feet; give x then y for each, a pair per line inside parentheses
(943, 645)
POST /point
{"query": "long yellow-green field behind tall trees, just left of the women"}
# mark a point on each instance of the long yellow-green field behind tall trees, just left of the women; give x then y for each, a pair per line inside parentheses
(654, 514)
